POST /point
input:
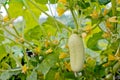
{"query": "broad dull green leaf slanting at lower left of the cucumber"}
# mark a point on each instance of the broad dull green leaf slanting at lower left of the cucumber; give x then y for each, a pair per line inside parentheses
(47, 63)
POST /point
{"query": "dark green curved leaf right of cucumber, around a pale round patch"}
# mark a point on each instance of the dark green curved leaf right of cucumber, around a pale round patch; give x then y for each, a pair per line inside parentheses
(92, 42)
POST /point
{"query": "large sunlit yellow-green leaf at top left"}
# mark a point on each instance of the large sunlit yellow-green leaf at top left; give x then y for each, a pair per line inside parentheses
(29, 12)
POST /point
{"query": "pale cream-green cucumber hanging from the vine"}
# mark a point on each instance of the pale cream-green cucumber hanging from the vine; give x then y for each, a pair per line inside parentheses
(76, 49)
